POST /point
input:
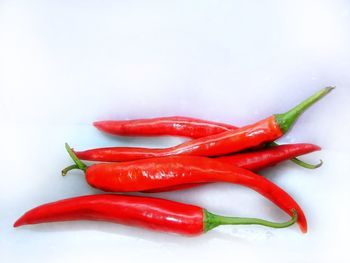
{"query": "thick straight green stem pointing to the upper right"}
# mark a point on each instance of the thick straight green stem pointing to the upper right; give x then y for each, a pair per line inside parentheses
(286, 120)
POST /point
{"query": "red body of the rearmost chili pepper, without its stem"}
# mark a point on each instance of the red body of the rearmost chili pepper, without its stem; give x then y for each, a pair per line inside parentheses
(174, 125)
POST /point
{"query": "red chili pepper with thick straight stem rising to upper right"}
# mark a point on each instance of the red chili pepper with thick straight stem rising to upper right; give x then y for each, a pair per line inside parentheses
(266, 130)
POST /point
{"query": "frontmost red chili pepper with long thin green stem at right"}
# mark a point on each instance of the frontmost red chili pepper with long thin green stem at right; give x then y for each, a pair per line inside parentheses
(147, 212)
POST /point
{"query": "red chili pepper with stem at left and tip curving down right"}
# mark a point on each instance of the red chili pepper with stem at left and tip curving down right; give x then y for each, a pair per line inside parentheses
(143, 175)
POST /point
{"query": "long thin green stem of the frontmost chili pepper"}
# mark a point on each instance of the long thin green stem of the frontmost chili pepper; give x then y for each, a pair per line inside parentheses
(211, 221)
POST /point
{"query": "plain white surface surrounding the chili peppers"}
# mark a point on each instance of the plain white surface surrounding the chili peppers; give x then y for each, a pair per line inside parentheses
(64, 64)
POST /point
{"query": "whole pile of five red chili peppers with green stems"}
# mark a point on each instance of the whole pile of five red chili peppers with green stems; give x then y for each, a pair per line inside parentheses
(216, 152)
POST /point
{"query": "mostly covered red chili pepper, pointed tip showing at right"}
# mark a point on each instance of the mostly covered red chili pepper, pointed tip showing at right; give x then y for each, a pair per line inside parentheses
(255, 161)
